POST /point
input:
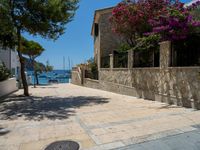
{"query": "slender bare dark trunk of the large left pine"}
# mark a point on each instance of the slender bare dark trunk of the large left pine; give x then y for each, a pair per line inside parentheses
(23, 76)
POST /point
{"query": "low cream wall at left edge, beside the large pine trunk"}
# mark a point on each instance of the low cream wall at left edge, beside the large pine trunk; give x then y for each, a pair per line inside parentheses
(8, 86)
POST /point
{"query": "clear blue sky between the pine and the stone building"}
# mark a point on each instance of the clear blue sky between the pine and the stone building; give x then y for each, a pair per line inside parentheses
(76, 43)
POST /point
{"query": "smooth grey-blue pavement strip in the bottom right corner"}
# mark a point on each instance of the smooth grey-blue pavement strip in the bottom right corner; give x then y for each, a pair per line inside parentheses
(184, 141)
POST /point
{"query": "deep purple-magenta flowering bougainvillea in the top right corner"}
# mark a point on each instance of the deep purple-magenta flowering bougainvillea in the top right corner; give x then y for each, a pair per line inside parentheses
(176, 23)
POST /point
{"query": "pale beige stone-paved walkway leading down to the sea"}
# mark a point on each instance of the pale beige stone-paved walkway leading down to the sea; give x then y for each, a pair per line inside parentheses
(95, 119)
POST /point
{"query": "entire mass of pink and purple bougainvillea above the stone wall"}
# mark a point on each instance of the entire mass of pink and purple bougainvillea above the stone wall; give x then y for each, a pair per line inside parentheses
(170, 19)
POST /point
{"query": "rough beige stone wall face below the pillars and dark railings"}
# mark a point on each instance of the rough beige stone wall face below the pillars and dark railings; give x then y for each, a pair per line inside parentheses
(180, 86)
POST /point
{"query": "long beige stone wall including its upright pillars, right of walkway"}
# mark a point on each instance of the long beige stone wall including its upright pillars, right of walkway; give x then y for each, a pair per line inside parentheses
(172, 85)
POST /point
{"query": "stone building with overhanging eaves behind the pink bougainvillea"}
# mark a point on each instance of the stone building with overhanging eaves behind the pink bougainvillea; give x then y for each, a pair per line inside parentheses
(105, 41)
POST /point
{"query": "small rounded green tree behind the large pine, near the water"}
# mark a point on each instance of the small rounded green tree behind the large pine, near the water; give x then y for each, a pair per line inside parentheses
(32, 50)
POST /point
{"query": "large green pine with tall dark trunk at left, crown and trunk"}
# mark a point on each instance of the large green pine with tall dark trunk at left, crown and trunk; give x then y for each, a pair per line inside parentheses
(46, 18)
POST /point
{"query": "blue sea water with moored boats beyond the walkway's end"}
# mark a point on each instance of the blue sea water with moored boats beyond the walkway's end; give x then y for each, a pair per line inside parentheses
(62, 76)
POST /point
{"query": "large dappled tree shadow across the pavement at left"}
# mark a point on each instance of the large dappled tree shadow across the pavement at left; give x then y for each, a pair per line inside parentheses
(39, 108)
